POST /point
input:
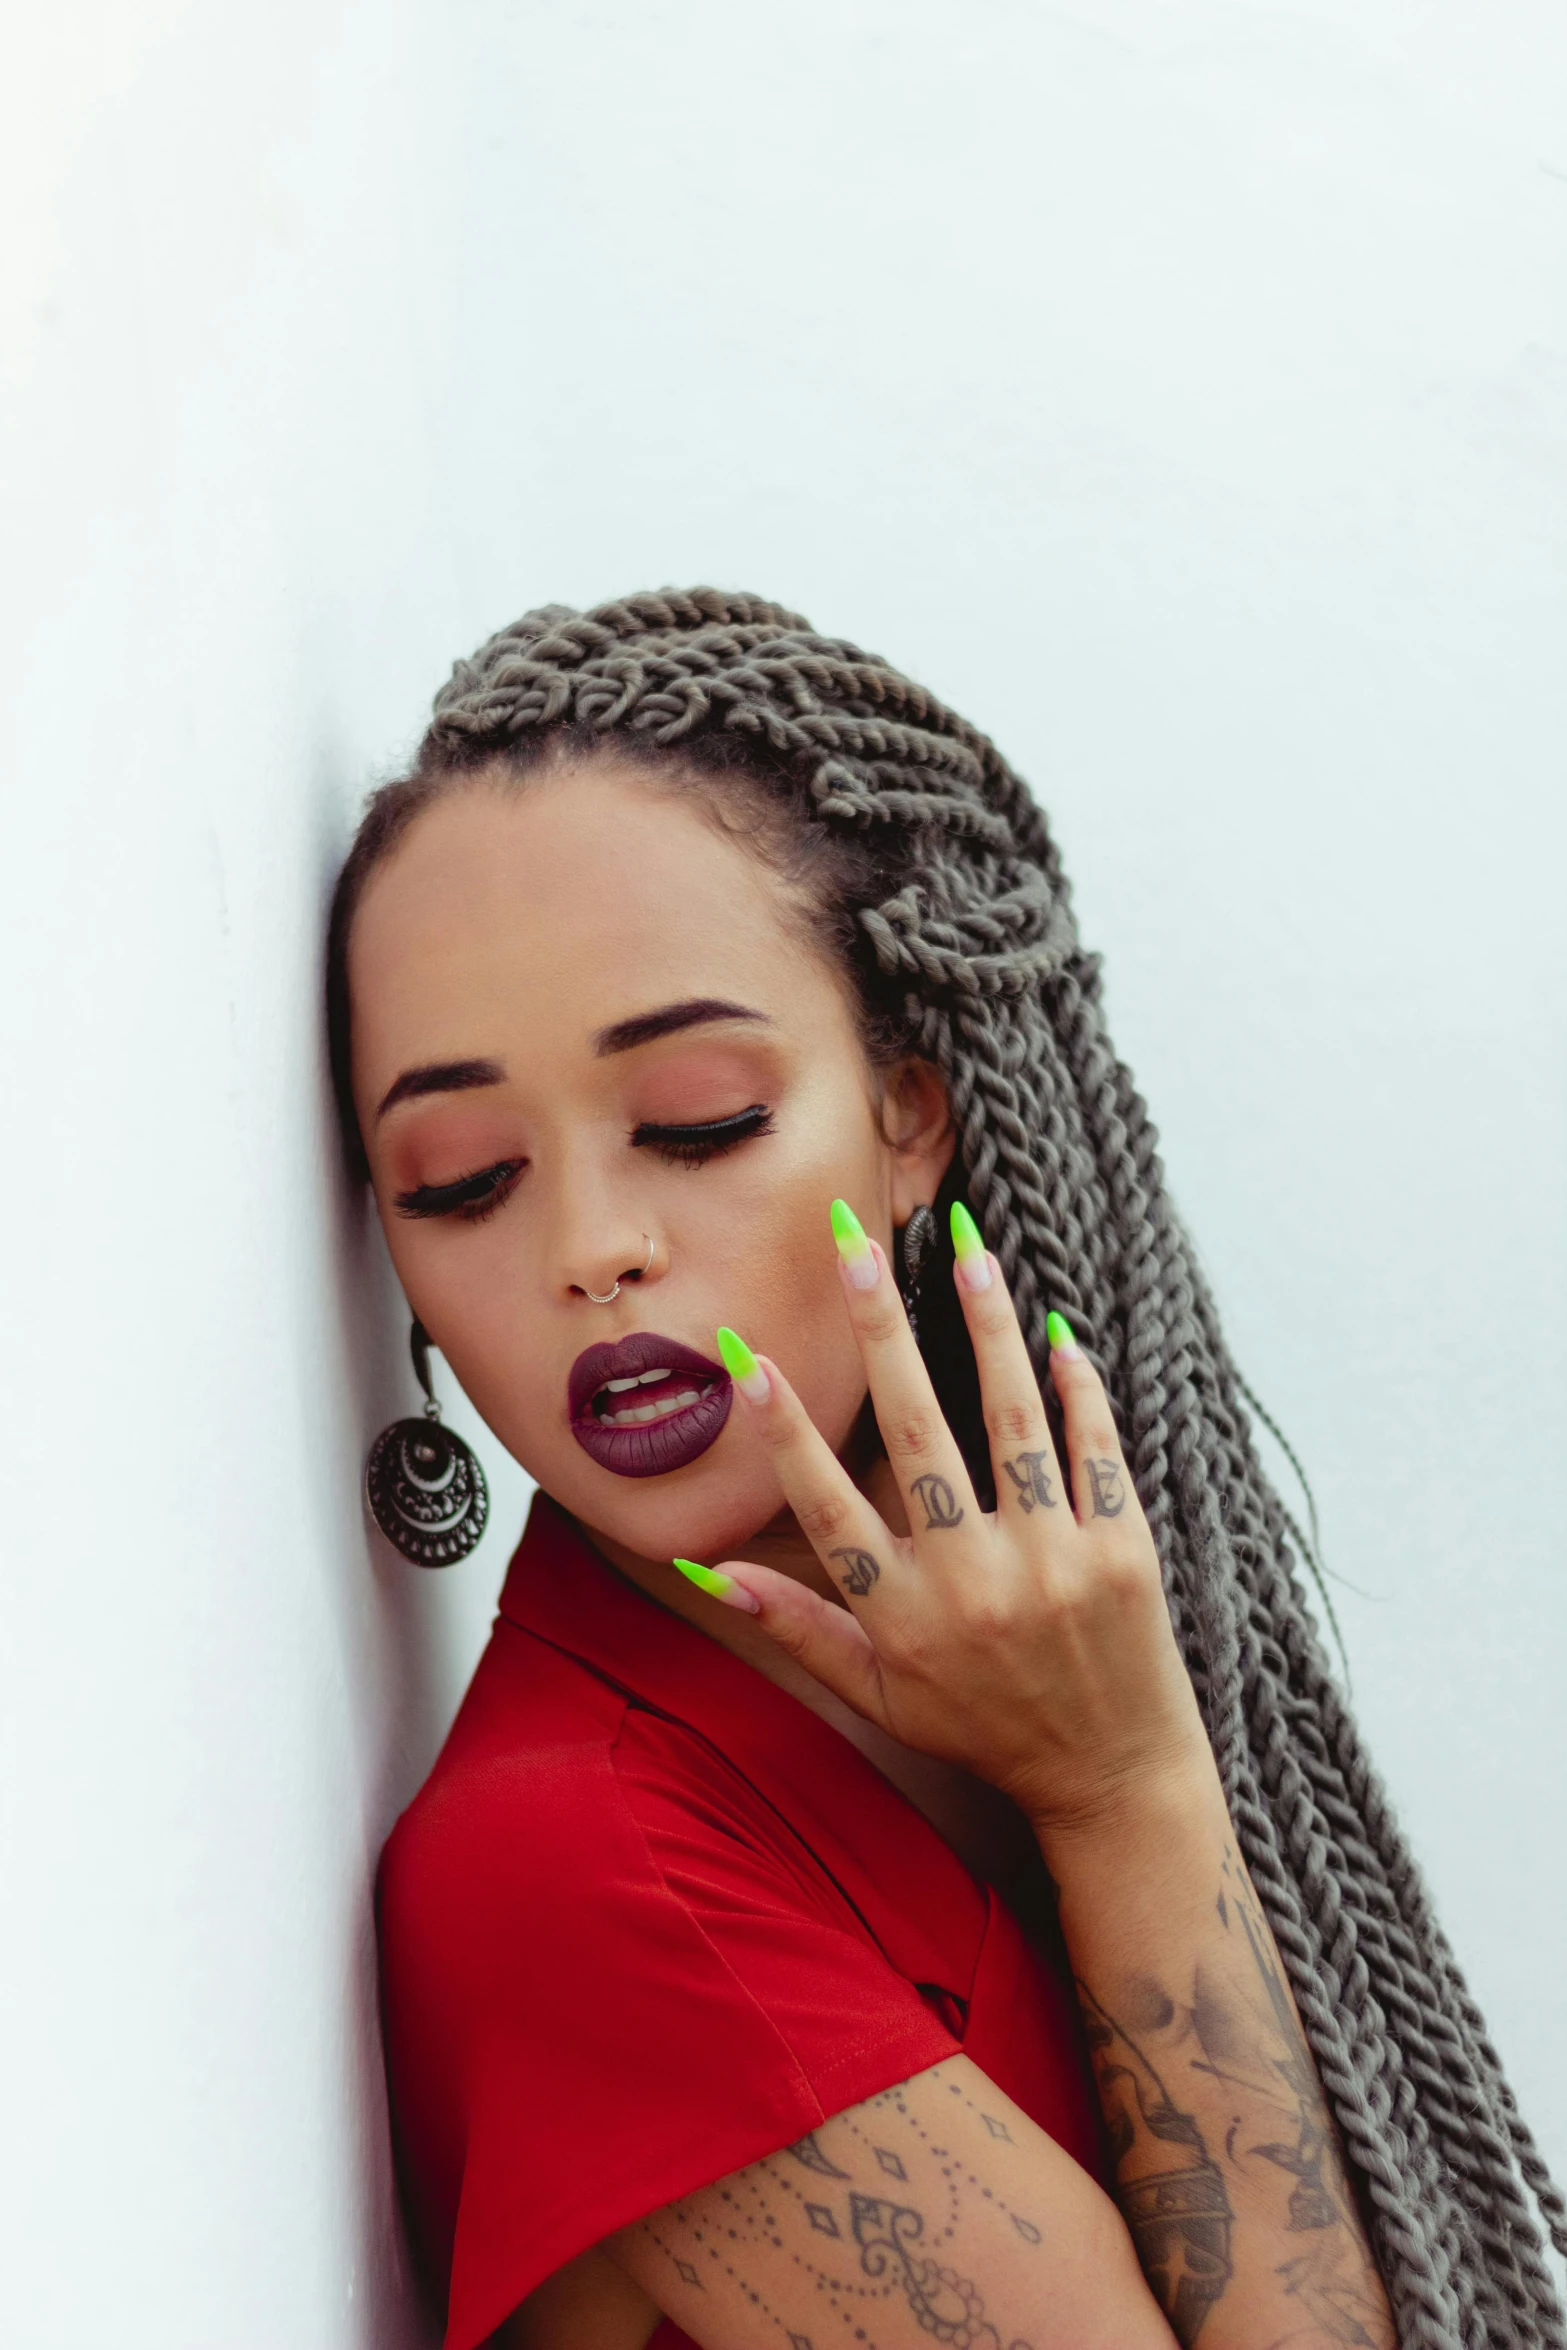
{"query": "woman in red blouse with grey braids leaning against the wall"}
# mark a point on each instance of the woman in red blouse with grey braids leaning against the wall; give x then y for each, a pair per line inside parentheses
(856, 1684)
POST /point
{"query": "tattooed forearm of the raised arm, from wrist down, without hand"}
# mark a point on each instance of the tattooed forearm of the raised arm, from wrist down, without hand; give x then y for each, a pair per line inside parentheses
(1225, 2156)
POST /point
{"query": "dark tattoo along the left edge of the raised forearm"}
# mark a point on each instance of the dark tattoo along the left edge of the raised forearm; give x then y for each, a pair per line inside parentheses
(1169, 2184)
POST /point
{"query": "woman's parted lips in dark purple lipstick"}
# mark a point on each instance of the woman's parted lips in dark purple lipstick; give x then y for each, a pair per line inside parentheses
(647, 1404)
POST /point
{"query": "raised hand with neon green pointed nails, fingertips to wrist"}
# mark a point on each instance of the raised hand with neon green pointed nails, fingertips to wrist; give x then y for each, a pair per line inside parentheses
(1030, 1644)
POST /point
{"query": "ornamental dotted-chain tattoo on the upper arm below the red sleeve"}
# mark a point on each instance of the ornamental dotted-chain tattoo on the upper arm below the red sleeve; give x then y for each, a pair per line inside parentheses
(861, 2250)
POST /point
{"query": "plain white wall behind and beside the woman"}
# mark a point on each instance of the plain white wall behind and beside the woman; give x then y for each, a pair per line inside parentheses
(1178, 389)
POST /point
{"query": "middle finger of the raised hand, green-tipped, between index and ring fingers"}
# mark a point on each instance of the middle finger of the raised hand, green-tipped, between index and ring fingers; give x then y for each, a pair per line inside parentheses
(920, 1444)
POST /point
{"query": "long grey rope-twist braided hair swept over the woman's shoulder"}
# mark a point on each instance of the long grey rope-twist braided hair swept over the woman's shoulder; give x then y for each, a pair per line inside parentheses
(955, 915)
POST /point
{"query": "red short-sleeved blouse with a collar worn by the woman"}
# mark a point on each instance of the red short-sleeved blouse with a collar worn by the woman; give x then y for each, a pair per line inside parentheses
(652, 1919)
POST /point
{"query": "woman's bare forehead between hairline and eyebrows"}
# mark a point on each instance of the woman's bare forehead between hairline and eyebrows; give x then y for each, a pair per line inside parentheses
(563, 906)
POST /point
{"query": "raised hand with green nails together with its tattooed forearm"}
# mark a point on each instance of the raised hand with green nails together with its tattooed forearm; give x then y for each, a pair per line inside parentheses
(1035, 1646)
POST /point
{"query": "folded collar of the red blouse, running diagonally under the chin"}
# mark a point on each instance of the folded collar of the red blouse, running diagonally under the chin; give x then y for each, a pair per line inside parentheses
(809, 1773)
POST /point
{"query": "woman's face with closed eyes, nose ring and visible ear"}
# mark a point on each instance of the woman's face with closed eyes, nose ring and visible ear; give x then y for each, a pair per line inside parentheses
(549, 986)
